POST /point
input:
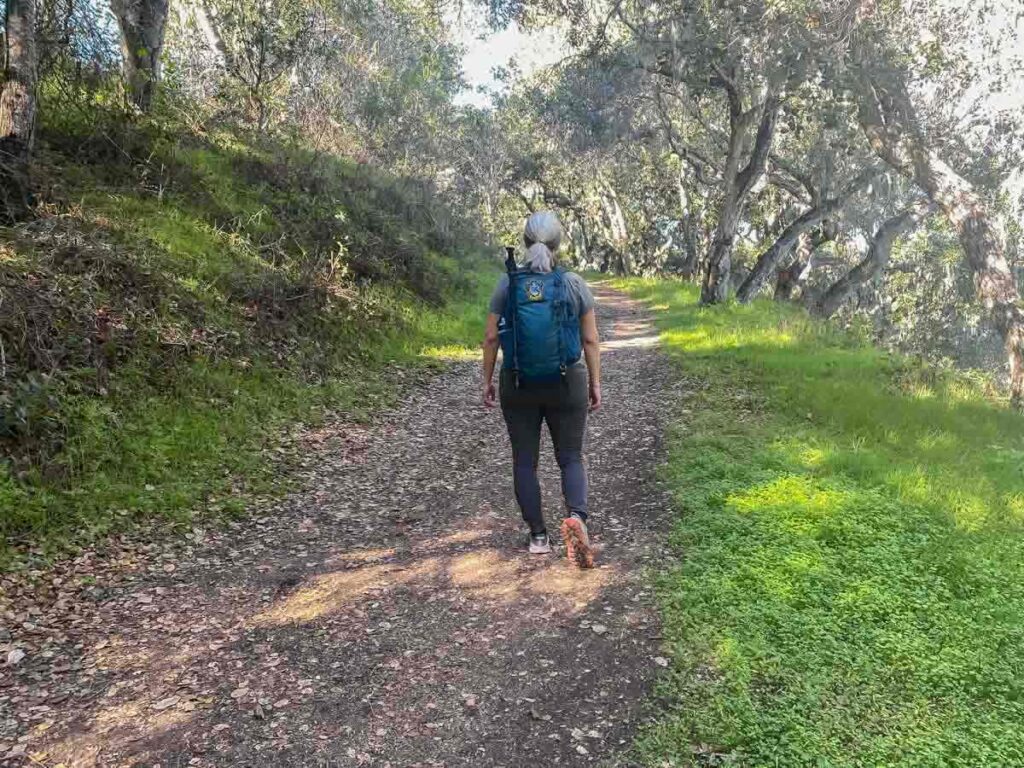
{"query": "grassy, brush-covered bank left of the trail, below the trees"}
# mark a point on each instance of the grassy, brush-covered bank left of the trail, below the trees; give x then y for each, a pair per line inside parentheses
(194, 388)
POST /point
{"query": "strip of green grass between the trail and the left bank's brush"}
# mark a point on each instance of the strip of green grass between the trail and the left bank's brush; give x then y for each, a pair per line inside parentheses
(192, 449)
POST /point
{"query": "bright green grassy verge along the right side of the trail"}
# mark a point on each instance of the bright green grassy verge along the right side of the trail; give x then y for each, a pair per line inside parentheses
(851, 585)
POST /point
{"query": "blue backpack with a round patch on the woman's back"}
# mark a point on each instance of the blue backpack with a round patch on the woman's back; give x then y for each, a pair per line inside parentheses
(540, 328)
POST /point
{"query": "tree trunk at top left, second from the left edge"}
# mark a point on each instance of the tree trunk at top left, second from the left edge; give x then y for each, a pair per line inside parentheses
(142, 24)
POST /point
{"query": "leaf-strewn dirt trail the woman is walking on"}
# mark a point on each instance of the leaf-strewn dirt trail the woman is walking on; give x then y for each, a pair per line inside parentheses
(385, 617)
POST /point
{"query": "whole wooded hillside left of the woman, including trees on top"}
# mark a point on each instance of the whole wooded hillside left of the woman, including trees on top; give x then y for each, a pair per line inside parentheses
(198, 254)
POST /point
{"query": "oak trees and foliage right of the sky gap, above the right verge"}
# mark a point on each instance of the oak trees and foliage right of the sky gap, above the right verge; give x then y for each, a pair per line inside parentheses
(863, 159)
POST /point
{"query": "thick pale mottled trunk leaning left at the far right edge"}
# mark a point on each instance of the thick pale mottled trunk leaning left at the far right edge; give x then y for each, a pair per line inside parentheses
(889, 121)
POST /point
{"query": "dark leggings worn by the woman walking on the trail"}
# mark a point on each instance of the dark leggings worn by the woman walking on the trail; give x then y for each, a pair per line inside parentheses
(564, 406)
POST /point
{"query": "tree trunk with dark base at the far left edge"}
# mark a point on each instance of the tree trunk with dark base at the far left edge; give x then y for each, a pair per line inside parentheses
(18, 109)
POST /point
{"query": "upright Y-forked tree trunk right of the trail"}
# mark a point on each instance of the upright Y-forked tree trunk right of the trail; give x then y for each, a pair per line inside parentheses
(739, 184)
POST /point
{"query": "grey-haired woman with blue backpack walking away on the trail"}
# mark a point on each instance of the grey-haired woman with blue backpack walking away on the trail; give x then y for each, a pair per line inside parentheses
(543, 319)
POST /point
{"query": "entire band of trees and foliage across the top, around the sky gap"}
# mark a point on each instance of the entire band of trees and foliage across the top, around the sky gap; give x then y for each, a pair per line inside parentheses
(862, 158)
